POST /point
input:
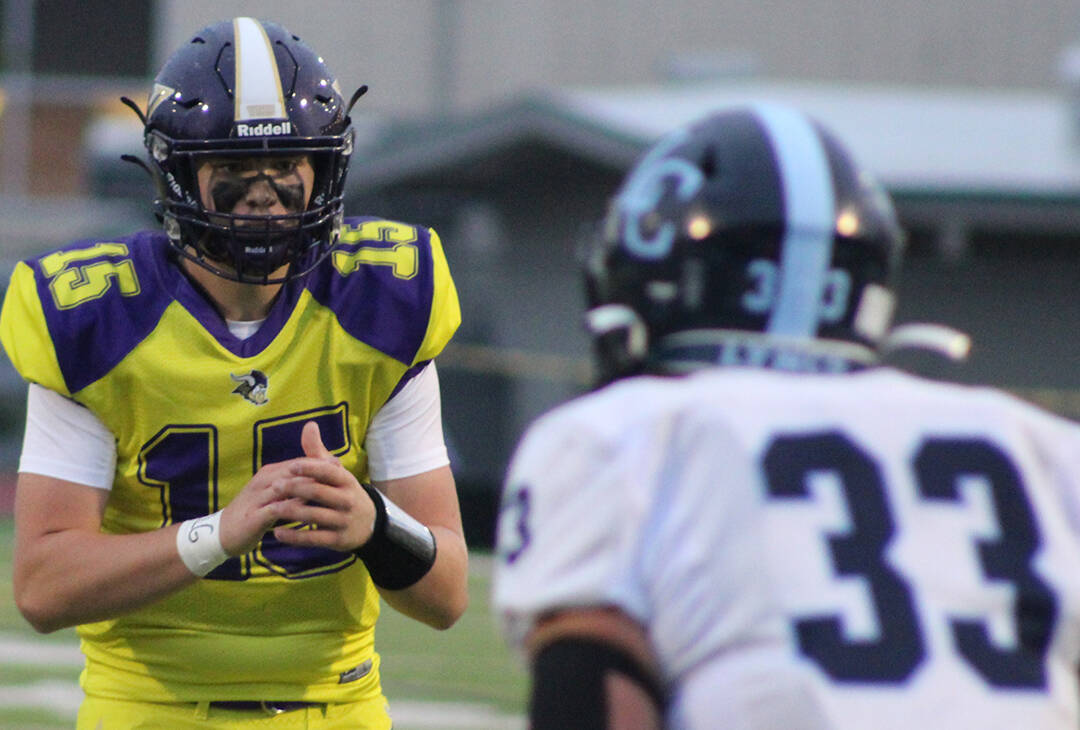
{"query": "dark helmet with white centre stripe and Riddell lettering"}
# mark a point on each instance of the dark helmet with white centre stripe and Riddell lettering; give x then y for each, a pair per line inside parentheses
(248, 89)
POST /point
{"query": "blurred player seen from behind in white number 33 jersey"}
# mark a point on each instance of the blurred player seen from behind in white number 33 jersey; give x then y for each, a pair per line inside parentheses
(755, 524)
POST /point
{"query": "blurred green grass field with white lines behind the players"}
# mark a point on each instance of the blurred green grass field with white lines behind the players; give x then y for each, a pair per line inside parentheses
(461, 680)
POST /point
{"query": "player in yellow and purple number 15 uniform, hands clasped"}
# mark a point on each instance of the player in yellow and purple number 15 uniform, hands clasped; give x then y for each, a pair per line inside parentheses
(234, 442)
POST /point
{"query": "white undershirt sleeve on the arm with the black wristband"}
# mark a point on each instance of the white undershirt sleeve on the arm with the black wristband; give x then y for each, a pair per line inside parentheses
(406, 437)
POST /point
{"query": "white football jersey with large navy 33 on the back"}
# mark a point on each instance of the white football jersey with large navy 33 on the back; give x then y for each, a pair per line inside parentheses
(870, 550)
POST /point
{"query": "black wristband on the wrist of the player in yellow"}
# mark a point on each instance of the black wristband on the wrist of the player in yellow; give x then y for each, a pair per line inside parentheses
(401, 551)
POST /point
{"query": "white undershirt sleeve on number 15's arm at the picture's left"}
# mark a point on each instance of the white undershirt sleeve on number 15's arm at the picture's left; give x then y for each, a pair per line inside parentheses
(66, 441)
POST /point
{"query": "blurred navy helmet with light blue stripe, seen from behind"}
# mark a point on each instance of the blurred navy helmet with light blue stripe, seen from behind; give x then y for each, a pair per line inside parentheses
(749, 238)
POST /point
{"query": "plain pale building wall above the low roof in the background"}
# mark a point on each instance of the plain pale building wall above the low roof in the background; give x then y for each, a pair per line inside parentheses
(418, 56)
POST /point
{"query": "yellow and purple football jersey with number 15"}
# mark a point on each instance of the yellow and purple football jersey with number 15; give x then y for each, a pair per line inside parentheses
(196, 412)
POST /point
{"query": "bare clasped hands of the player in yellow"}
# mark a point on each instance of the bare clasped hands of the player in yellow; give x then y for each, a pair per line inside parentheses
(315, 490)
